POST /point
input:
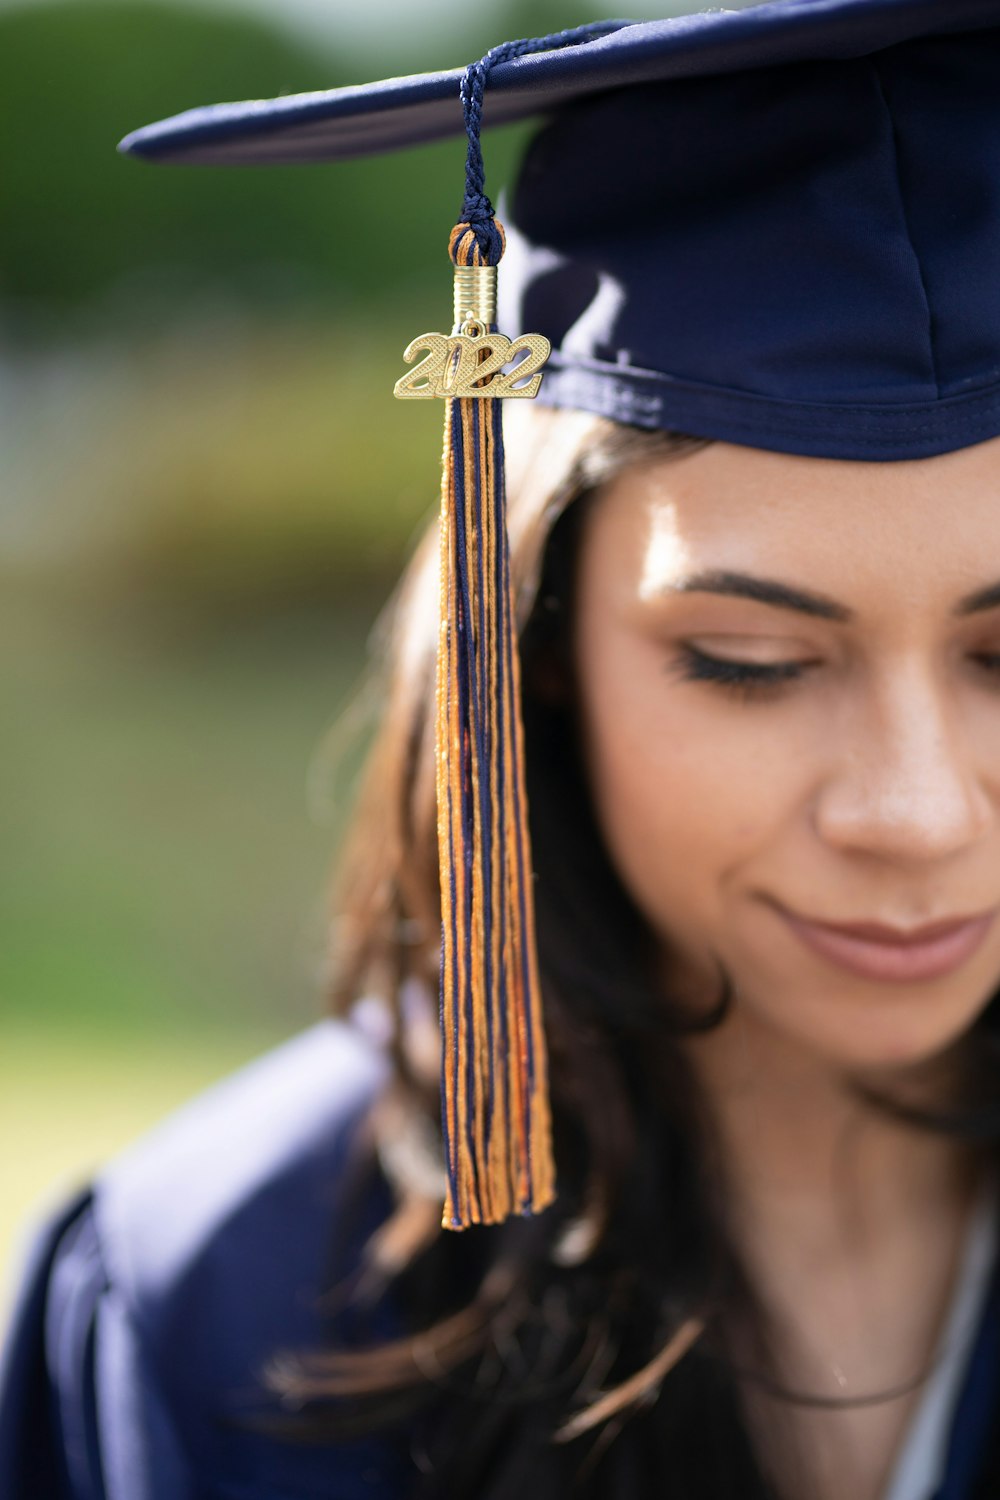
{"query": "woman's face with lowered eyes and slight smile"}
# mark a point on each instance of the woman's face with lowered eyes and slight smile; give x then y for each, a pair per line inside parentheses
(825, 751)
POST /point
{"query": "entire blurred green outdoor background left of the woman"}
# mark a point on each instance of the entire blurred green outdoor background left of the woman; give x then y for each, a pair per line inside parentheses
(200, 518)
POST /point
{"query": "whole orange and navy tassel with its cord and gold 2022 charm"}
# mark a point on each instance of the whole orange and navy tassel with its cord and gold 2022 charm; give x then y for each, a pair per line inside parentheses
(494, 1072)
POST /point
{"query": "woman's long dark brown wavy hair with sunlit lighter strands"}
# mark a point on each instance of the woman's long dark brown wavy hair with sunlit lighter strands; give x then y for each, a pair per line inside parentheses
(578, 1352)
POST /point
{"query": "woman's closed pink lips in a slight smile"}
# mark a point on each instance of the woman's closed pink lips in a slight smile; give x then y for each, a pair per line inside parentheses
(924, 955)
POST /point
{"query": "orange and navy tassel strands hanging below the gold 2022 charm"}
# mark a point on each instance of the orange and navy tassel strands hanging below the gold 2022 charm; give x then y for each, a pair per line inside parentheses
(496, 1100)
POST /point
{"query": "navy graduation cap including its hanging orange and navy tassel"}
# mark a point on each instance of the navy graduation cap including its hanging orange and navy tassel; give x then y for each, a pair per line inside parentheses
(776, 227)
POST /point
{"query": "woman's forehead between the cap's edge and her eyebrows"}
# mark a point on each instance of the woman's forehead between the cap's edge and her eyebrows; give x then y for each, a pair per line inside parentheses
(933, 524)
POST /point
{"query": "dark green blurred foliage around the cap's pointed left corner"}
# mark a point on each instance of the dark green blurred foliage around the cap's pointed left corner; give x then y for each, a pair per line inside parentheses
(83, 226)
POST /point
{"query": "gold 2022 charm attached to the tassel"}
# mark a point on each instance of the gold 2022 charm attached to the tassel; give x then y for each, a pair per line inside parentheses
(472, 364)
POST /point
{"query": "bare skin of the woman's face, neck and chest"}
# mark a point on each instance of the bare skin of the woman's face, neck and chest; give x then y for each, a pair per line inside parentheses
(867, 790)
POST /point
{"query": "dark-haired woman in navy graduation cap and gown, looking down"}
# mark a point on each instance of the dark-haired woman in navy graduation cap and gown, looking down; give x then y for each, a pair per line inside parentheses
(761, 653)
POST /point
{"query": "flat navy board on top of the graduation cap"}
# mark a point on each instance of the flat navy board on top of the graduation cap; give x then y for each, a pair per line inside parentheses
(395, 113)
